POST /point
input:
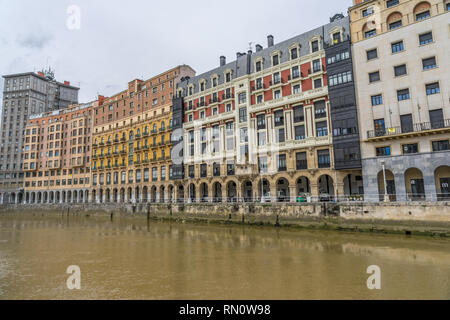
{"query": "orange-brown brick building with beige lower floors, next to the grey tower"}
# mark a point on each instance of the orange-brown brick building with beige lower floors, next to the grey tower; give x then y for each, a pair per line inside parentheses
(56, 156)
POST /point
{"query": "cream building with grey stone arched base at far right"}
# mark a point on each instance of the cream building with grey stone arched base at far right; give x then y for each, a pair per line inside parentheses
(401, 62)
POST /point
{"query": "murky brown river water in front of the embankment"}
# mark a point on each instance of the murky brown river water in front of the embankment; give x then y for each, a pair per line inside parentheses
(133, 259)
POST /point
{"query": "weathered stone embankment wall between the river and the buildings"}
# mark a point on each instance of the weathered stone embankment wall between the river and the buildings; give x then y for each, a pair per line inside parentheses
(407, 218)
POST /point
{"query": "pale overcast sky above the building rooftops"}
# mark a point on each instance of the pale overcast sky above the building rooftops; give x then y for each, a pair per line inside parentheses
(120, 40)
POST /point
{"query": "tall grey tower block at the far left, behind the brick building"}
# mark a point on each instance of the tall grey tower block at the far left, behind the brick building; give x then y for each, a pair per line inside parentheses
(25, 94)
